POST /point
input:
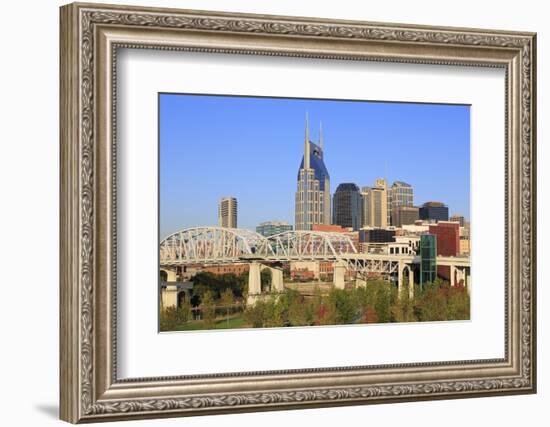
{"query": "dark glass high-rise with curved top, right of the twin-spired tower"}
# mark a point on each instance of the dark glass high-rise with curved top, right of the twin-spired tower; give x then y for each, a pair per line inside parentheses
(346, 206)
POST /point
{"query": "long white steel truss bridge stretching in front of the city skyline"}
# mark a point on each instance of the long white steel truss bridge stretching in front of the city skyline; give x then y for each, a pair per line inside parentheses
(218, 245)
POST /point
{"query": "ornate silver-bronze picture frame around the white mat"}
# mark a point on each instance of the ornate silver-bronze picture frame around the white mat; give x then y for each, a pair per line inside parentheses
(90, 35)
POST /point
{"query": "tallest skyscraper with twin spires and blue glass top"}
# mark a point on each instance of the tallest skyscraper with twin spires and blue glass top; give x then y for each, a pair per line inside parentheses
(312, 200)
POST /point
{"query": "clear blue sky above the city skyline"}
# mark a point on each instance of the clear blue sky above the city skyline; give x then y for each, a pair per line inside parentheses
(247, 147)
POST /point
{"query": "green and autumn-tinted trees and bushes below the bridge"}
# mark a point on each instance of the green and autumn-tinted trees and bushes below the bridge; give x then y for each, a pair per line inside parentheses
(219, 302)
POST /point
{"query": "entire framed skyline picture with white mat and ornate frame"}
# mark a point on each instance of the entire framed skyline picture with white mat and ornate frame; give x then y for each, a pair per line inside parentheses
(267, 212)
